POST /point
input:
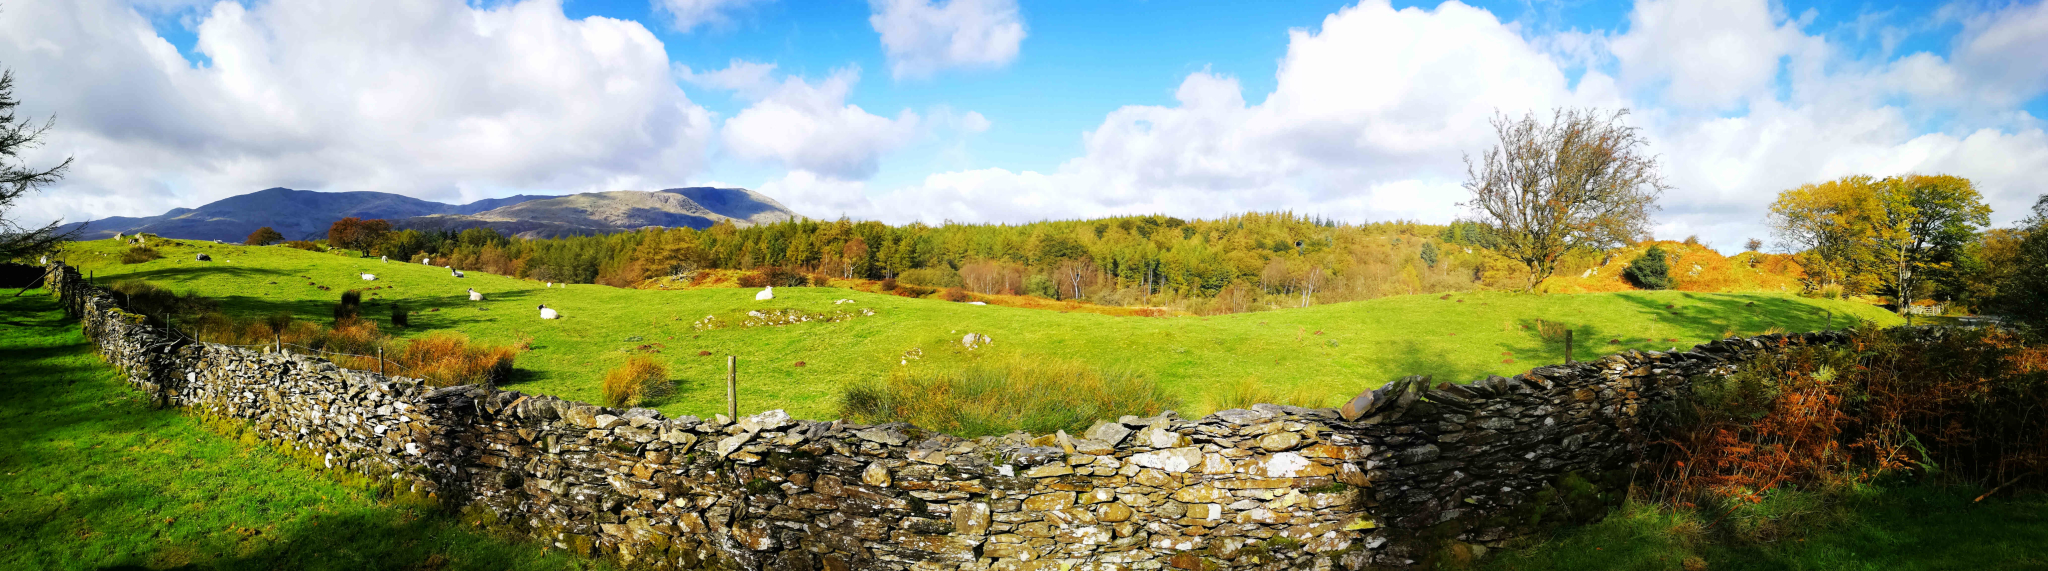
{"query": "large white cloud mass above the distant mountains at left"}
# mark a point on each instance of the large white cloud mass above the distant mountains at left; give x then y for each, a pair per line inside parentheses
(429, 99)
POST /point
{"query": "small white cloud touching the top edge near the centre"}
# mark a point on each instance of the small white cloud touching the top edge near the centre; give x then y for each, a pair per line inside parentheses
(923, 38)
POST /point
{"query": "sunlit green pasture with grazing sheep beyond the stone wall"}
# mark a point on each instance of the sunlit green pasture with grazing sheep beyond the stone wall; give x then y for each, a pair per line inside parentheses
(1328, 353)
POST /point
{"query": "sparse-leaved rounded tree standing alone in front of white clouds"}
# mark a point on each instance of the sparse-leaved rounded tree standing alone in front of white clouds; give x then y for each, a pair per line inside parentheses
(1576, 183)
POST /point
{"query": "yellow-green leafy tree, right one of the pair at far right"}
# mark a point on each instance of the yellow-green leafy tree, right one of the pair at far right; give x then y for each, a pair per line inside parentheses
(1926, 226)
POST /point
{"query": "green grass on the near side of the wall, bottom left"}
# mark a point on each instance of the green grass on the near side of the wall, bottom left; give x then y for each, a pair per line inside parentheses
(91, 478)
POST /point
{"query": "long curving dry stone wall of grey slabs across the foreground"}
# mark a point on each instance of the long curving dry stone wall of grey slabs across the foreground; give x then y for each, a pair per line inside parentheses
(1383, 482)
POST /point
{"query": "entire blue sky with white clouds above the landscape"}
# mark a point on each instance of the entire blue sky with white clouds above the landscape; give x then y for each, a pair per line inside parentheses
(1015, 109)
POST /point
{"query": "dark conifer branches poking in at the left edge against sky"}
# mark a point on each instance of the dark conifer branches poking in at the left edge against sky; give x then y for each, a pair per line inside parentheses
(19, 179)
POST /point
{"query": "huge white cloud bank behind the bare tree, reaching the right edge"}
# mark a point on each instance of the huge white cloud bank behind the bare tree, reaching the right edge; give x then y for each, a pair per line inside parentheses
(1375, 109)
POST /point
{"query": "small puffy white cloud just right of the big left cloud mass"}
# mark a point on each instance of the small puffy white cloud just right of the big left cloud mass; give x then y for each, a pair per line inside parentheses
(812, 128)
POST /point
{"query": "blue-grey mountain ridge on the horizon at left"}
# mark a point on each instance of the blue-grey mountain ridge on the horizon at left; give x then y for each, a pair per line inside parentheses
(308, 214)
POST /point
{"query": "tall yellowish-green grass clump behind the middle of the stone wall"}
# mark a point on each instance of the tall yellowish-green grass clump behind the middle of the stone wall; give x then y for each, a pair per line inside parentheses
(998, 396)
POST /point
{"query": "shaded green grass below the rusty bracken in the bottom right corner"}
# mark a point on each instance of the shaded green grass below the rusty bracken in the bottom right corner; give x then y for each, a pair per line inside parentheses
(1906, 529)
